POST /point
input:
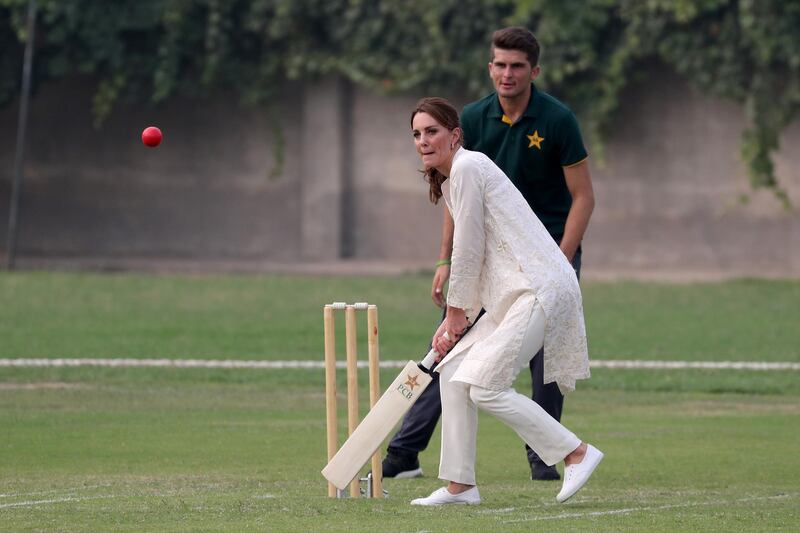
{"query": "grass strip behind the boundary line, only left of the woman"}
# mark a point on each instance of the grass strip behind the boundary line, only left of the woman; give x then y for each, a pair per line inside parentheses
(238, 317)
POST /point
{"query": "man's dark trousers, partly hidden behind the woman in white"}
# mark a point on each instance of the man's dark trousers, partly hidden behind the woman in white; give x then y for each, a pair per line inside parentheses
(420, 422)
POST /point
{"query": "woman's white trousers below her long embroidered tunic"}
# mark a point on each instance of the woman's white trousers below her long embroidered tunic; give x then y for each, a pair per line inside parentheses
(460, 401)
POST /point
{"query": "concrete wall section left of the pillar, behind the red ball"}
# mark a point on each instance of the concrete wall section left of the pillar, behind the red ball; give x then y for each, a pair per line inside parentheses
(205, 192)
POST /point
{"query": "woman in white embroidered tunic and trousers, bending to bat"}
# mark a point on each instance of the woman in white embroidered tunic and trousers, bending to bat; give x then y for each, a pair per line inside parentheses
(505, 262)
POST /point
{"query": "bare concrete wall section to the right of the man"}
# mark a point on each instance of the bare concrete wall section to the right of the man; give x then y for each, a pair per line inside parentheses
(667, 193)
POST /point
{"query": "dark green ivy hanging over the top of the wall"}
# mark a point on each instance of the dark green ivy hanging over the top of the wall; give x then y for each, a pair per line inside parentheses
(746, 51)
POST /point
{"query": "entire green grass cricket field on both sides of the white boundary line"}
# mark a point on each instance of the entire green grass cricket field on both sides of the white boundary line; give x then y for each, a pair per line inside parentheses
(99, 449)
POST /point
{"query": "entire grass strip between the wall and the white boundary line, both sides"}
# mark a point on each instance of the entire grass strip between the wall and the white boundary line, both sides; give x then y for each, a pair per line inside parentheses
(279, 317)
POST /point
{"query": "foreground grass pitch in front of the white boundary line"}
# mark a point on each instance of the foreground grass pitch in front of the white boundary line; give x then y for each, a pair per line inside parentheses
(177, 453)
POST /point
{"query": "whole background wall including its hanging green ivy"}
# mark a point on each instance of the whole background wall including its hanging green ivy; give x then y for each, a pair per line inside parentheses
(286, 127)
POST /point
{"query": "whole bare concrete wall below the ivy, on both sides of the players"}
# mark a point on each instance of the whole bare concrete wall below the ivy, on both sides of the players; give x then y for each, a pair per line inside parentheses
(349, 189)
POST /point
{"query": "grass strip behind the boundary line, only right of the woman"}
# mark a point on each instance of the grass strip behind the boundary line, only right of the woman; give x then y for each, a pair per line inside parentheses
(743, 320)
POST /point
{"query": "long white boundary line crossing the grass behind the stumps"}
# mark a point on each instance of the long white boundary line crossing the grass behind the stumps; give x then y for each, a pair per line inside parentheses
(314, 365)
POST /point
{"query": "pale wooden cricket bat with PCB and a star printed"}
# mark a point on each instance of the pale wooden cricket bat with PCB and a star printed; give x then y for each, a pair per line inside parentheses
(379, 422)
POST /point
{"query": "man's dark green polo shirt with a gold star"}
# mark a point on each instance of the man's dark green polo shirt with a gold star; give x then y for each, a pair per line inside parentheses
(532, 152)
